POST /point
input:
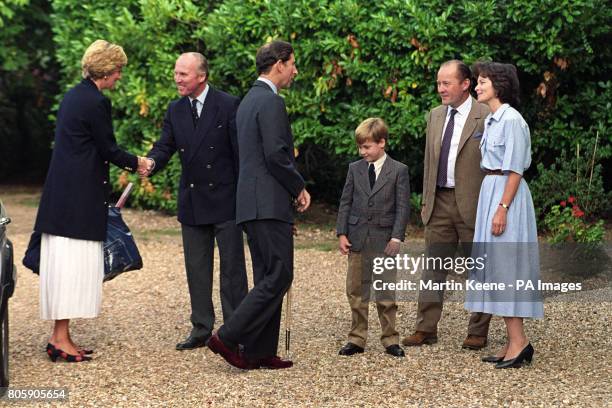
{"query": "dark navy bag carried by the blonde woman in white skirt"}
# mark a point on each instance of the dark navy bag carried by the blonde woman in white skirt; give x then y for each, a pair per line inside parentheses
(120, 251)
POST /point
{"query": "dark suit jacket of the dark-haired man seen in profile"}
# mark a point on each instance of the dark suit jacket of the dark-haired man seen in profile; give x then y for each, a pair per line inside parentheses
(268, 180)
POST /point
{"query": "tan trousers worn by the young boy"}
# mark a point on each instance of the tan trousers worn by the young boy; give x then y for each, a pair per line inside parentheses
(387, 309)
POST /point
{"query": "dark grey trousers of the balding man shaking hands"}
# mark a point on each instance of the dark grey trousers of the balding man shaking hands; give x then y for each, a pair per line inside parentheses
(198, 246)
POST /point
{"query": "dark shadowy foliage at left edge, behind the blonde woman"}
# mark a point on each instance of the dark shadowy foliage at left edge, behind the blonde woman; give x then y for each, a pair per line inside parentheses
(28, 77)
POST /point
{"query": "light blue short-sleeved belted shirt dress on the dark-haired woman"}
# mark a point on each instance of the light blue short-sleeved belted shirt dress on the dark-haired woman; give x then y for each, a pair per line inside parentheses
(511, 260)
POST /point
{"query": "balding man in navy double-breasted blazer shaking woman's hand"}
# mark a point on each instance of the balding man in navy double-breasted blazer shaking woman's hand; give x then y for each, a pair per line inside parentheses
(201, 127)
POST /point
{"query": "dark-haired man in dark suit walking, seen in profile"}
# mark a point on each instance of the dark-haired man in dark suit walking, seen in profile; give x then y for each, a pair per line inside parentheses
(268, 187)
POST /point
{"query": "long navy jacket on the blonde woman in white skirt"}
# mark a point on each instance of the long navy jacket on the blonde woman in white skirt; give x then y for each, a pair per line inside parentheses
(75, 197)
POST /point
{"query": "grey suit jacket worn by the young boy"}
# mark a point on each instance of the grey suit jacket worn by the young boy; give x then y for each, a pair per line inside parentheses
(382, 211)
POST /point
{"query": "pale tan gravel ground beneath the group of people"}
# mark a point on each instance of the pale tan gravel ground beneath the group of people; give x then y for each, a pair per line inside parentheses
(146, 312)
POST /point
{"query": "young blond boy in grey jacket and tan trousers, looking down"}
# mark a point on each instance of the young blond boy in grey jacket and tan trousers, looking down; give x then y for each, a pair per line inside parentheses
(372, 218)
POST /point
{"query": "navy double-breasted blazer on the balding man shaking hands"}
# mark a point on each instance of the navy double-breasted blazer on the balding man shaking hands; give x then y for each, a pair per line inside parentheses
(208, 155)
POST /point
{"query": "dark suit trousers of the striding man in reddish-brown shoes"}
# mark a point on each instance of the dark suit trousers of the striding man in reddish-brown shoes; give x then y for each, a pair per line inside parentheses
(256, 322)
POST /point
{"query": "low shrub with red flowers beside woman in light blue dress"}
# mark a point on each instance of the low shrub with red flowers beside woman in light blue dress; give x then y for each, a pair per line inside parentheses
(566, 223)
